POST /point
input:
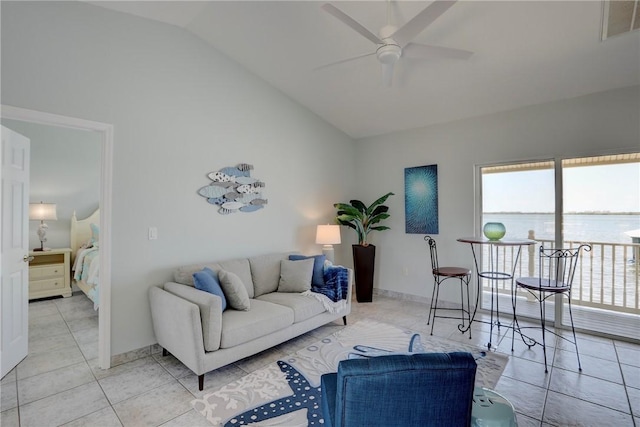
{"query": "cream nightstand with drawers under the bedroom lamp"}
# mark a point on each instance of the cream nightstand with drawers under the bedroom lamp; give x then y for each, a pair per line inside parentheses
(50, 273)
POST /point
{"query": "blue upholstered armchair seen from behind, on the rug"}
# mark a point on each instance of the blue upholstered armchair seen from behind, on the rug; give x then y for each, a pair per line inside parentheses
(422, 389)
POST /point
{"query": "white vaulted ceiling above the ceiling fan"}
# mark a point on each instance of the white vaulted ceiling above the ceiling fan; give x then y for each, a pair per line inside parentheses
(524, 53)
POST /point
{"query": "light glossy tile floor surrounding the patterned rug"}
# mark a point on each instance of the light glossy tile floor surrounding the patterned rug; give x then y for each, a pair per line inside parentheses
(59, 383)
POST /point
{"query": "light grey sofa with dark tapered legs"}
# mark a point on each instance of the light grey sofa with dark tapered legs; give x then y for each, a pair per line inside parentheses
(190, 324)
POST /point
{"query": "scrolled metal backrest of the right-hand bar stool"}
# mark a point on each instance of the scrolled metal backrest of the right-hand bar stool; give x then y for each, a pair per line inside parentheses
(557, 267)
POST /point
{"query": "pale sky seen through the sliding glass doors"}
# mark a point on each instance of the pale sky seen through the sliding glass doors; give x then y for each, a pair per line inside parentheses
(613, 188)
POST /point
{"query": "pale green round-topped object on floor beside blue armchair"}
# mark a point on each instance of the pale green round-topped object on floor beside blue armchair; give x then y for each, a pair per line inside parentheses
(491, 409)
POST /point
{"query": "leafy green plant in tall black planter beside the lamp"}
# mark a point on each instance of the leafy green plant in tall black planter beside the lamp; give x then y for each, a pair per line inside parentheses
(363, 219)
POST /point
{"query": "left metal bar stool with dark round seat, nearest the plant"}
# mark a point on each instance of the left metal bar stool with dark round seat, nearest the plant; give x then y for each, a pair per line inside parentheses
(440, 275)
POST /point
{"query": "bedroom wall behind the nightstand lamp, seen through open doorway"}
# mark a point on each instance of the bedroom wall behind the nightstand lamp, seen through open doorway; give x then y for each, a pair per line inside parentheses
(65, 170)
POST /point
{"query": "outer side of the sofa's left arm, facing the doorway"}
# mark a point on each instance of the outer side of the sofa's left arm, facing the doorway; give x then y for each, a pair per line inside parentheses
(178, 328)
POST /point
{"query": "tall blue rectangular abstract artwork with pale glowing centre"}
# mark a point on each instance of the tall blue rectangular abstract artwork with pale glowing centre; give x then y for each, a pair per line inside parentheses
(421, 199)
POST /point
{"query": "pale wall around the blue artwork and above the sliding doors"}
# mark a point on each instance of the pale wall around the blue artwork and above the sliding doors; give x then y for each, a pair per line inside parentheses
(602, 123)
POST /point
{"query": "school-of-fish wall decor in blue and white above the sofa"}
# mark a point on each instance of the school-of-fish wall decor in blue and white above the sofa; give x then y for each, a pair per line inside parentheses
(232, 190)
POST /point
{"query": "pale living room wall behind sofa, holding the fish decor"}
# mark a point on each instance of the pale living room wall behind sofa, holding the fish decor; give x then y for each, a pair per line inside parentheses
(180, 109)
